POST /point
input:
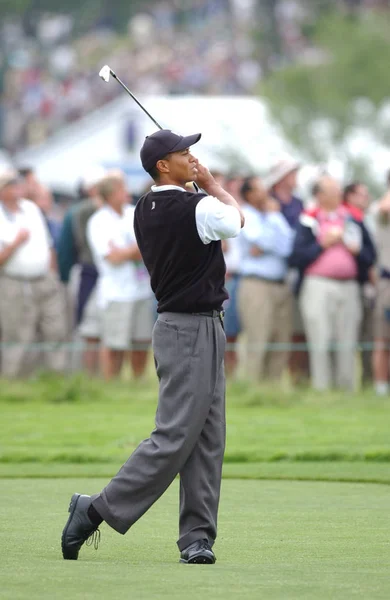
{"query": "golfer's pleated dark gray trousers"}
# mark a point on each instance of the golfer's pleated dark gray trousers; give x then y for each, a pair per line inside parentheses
(189, 437)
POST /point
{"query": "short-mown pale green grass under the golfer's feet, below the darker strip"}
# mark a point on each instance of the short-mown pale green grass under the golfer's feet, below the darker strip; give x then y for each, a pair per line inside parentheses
(276, 540)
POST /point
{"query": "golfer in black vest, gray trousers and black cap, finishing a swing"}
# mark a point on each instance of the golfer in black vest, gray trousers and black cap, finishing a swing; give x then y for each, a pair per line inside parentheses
(179, 234)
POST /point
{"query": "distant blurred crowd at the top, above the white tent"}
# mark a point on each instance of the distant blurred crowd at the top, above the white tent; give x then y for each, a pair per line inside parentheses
(48, 71)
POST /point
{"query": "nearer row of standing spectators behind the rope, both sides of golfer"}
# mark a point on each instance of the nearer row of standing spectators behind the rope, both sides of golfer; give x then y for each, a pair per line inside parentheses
(309, 282)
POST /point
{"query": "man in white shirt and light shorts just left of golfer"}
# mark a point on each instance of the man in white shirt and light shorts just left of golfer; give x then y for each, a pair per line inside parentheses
(124, 295)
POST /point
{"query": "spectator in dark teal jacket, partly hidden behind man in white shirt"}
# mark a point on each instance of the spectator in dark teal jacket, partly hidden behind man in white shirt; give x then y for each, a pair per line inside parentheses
(73, 249)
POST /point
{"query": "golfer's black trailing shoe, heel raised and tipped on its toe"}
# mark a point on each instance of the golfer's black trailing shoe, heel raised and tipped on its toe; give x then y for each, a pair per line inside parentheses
(79, 528)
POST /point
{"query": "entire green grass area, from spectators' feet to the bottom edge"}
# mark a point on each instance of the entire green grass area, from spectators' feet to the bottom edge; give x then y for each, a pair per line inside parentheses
(304, 510)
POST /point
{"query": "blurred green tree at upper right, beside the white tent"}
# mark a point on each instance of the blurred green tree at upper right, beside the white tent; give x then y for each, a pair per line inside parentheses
(321, 104)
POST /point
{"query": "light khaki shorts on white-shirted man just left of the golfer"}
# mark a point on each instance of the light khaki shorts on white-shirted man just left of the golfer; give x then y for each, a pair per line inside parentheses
(126, 323)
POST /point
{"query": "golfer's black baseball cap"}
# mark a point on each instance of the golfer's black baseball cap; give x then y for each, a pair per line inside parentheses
(163, 142)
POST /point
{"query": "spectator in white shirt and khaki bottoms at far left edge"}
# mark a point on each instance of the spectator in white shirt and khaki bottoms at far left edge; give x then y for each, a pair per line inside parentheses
(31, 302)
